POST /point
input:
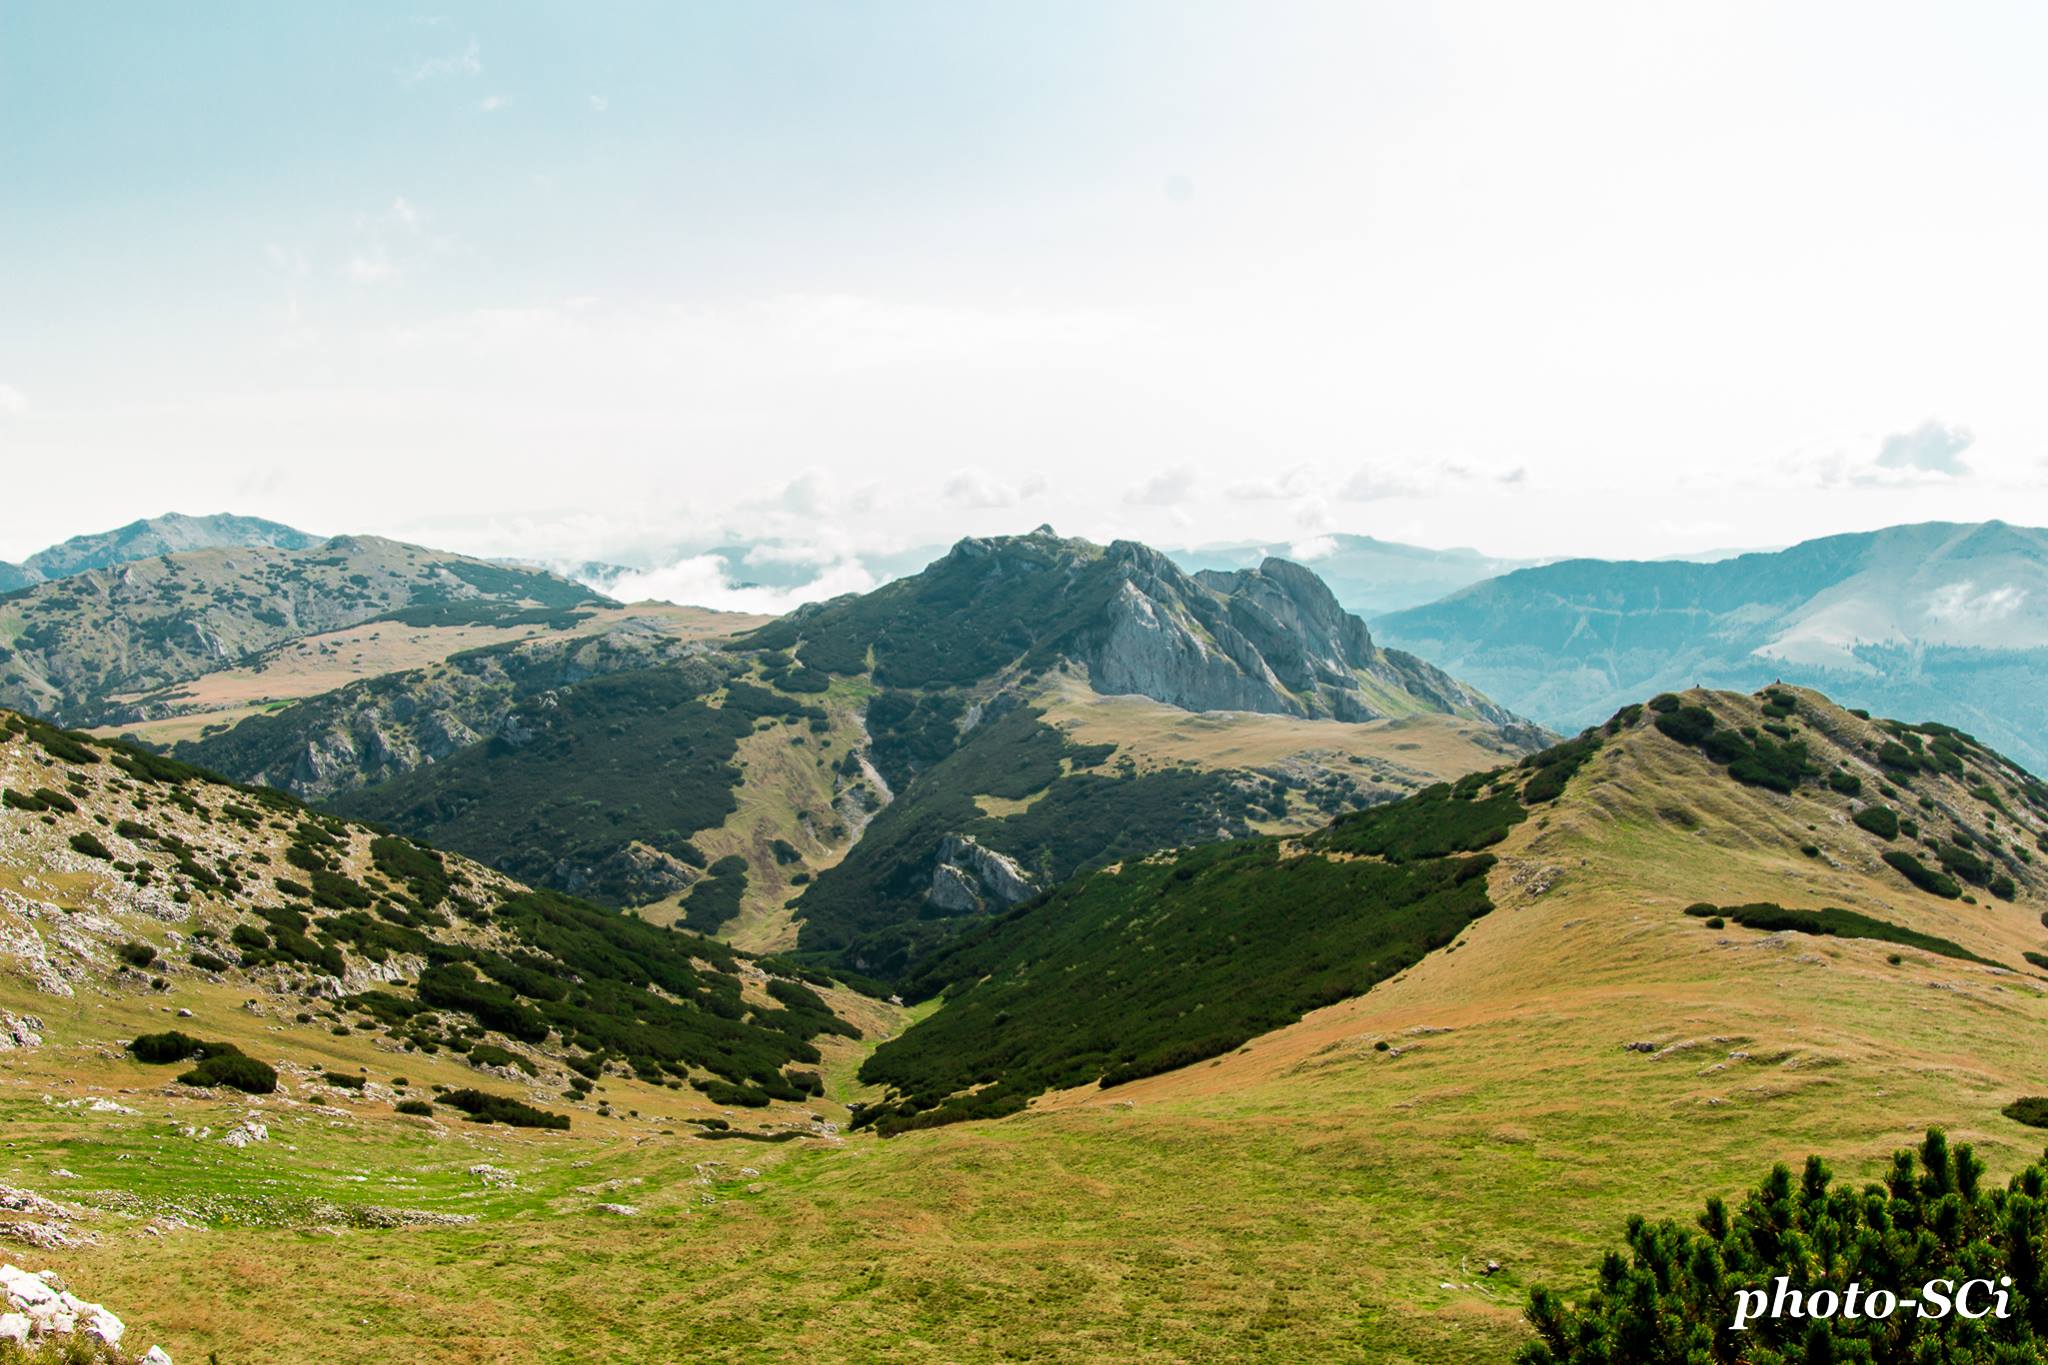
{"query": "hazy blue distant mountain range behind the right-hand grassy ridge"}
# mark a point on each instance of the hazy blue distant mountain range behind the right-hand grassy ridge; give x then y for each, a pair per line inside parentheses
(1936, 621)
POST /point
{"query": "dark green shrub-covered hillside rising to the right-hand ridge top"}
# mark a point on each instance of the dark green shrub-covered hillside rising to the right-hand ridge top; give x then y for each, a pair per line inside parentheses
(1168, 961)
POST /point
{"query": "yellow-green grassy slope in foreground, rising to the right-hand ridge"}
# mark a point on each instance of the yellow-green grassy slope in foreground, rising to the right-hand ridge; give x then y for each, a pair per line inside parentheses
(1306, 1198)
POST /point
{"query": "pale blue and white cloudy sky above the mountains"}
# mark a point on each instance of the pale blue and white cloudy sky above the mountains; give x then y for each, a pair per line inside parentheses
(628, 281)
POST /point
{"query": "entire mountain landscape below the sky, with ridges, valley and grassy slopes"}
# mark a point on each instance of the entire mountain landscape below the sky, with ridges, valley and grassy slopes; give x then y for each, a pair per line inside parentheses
(1052, 955)
